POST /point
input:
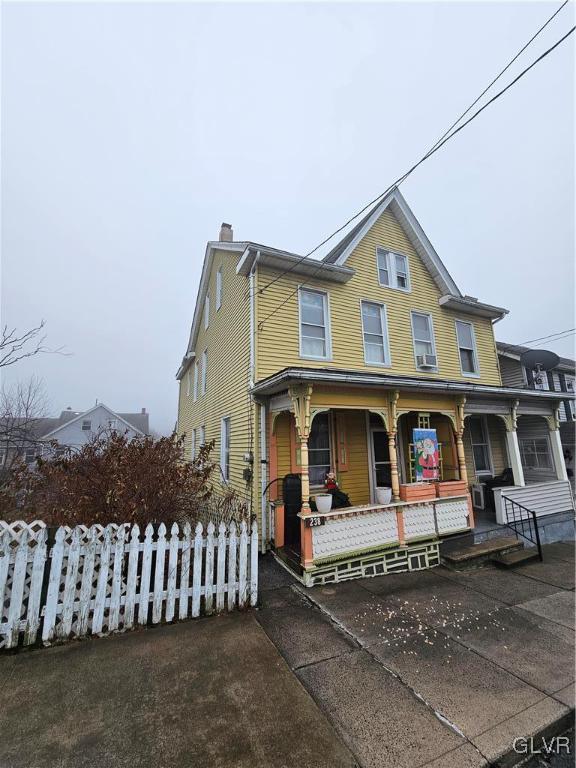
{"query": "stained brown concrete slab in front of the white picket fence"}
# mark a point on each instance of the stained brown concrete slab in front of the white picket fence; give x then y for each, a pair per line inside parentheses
(210, 692)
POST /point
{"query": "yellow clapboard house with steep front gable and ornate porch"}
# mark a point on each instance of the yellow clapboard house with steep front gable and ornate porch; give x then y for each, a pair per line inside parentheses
(300, 368)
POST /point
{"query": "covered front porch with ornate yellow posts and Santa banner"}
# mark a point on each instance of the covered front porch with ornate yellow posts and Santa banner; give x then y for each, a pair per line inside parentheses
(364, 434)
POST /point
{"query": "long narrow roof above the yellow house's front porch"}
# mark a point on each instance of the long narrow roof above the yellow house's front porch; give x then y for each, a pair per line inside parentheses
(280, 381)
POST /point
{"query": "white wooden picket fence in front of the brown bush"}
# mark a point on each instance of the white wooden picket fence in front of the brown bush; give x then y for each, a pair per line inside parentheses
(97, 580)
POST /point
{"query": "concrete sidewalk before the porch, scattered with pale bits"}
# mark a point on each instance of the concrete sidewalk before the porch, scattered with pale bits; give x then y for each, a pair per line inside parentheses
(433, 668)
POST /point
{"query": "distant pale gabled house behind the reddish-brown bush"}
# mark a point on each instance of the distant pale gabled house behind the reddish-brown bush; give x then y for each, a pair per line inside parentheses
(76, 428)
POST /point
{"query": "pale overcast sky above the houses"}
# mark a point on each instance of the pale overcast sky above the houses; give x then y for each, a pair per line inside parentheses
(129, 132)
